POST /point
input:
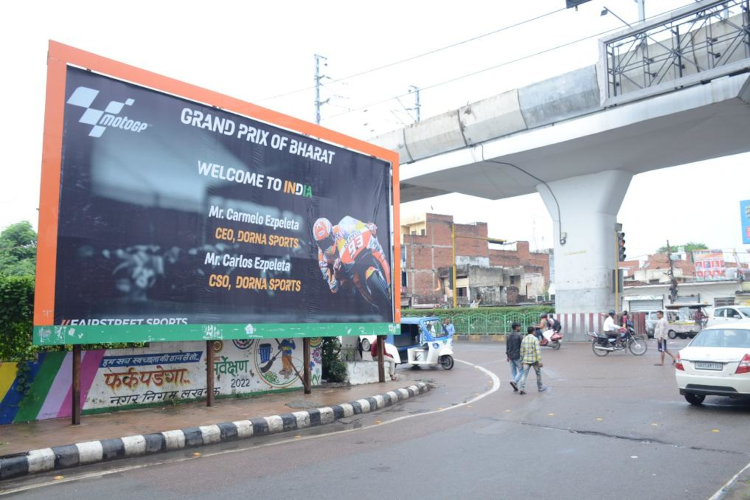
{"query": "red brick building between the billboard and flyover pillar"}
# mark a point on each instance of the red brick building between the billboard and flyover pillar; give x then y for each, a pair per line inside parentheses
(495, 274)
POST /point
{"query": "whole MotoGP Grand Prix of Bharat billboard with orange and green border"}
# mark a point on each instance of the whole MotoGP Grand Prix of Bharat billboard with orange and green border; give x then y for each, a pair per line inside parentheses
(170, 212)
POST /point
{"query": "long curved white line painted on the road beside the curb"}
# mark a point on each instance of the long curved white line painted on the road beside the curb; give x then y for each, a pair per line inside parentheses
(495, 387)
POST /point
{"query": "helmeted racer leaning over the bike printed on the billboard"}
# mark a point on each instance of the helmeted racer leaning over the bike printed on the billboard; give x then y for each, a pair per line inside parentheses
(331, 241)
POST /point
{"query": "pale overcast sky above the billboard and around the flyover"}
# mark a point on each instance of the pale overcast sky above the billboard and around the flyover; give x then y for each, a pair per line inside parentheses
(257, 50)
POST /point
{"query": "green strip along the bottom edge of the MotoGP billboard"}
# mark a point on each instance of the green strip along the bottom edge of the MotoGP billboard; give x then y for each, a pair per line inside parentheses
(109, 334)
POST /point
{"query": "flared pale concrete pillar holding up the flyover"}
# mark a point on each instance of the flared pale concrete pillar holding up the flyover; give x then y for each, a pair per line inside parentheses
(588, 206)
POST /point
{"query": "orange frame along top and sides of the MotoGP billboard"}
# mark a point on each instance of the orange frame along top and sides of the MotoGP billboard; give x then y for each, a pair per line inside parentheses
(60, 56)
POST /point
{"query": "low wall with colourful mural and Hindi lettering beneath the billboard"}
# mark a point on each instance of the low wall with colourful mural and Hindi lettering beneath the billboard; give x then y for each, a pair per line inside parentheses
(162, 373)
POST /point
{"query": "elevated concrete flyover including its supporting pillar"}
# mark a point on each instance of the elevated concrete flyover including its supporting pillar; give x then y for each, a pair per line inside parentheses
(670, 91)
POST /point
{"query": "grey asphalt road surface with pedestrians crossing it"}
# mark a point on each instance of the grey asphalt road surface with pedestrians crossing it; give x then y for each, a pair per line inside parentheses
(612, 427)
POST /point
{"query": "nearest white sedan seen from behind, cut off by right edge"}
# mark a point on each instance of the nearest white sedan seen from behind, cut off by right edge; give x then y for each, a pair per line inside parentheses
(715, 363)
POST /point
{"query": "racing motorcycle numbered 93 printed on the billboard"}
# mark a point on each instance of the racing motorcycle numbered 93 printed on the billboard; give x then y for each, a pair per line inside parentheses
(363, 263)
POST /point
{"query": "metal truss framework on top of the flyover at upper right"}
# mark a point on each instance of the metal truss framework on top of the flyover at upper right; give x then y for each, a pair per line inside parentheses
(701, 42)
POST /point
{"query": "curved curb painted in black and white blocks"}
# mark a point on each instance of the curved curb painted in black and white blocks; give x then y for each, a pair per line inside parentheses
(91, 452)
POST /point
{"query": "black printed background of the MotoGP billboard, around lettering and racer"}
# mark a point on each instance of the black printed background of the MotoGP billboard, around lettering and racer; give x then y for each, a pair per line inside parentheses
(134, 229)
